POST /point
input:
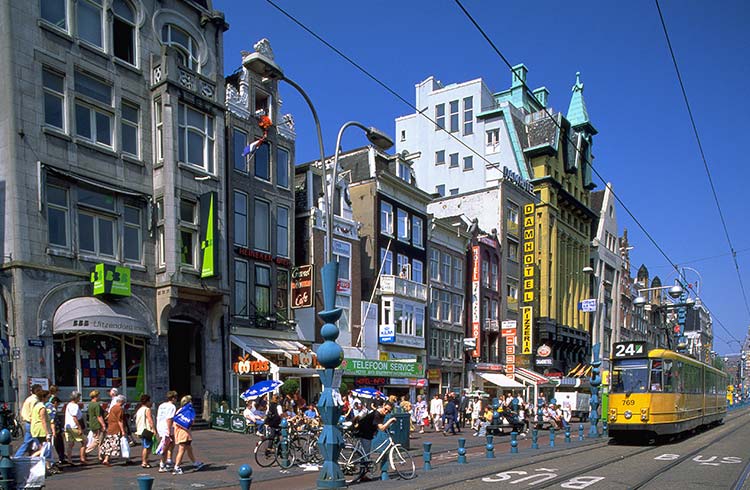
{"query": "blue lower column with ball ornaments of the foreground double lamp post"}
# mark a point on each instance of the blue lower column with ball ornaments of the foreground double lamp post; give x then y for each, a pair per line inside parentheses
(330, 355)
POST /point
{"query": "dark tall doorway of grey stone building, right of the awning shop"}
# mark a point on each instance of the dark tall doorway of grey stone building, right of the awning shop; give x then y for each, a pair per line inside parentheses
(186, 359)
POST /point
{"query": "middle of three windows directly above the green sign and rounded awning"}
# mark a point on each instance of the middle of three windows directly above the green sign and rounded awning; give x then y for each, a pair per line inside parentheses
(96, 223)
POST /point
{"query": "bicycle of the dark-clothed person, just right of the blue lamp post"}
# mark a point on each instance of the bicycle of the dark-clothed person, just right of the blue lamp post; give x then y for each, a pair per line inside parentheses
(355, 463)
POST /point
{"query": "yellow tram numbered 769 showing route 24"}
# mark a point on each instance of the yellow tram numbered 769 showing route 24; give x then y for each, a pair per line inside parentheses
(655, 392)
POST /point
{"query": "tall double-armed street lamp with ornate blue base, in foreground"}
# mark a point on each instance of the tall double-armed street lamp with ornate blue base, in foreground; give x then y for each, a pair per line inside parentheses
(330, 354)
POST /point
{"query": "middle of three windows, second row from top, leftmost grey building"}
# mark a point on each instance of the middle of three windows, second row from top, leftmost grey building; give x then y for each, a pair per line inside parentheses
(93, 123)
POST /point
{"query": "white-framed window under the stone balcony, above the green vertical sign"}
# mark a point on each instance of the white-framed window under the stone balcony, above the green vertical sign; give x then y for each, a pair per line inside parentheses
(196, 138)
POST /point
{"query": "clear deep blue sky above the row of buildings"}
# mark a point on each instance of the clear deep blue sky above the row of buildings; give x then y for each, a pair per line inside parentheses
(645, 145)
